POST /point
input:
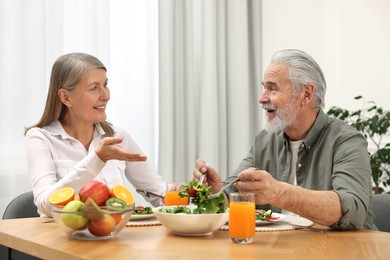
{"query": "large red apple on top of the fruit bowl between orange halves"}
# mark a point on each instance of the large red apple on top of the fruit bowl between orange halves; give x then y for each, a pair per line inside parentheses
(96, 190)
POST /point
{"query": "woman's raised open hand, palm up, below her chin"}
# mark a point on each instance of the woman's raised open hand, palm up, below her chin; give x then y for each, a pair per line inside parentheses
(109, 149)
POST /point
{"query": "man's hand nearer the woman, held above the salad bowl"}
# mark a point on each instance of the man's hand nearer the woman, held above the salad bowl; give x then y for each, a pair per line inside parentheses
(211, 179)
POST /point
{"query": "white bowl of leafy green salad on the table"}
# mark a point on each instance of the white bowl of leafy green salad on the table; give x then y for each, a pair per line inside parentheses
(201, 217)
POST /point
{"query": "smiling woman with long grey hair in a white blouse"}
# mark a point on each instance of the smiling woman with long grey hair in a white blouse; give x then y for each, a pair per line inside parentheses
(73, 143)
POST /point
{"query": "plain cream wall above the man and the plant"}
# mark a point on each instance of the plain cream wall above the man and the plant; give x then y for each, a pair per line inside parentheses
(350, 39)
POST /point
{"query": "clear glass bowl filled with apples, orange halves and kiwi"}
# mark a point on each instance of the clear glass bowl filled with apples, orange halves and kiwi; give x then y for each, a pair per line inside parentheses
(95, 213)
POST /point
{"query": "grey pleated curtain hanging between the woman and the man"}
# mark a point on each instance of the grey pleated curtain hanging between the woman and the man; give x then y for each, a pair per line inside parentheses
(210, 76)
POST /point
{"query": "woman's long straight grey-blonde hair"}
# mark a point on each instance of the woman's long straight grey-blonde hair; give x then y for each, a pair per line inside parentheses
(66, 73)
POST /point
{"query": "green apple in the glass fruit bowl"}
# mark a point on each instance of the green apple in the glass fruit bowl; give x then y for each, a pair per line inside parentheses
(73, 215)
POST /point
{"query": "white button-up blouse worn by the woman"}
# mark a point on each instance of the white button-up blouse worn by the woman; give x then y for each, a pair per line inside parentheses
(56, 160)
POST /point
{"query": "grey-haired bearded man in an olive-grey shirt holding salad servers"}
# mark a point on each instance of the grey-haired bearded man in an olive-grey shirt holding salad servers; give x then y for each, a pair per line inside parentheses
(304, 162)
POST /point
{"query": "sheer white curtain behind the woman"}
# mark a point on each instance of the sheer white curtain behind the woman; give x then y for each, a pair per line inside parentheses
(33, 33)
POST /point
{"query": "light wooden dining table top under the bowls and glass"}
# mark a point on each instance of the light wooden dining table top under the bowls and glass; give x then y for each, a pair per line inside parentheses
(48, 241)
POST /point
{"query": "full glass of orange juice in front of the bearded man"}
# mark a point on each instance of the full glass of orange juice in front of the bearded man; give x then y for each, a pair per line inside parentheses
(242, 217)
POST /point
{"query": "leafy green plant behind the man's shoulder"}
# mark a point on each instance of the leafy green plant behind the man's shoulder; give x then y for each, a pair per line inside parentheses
(374, 123)
